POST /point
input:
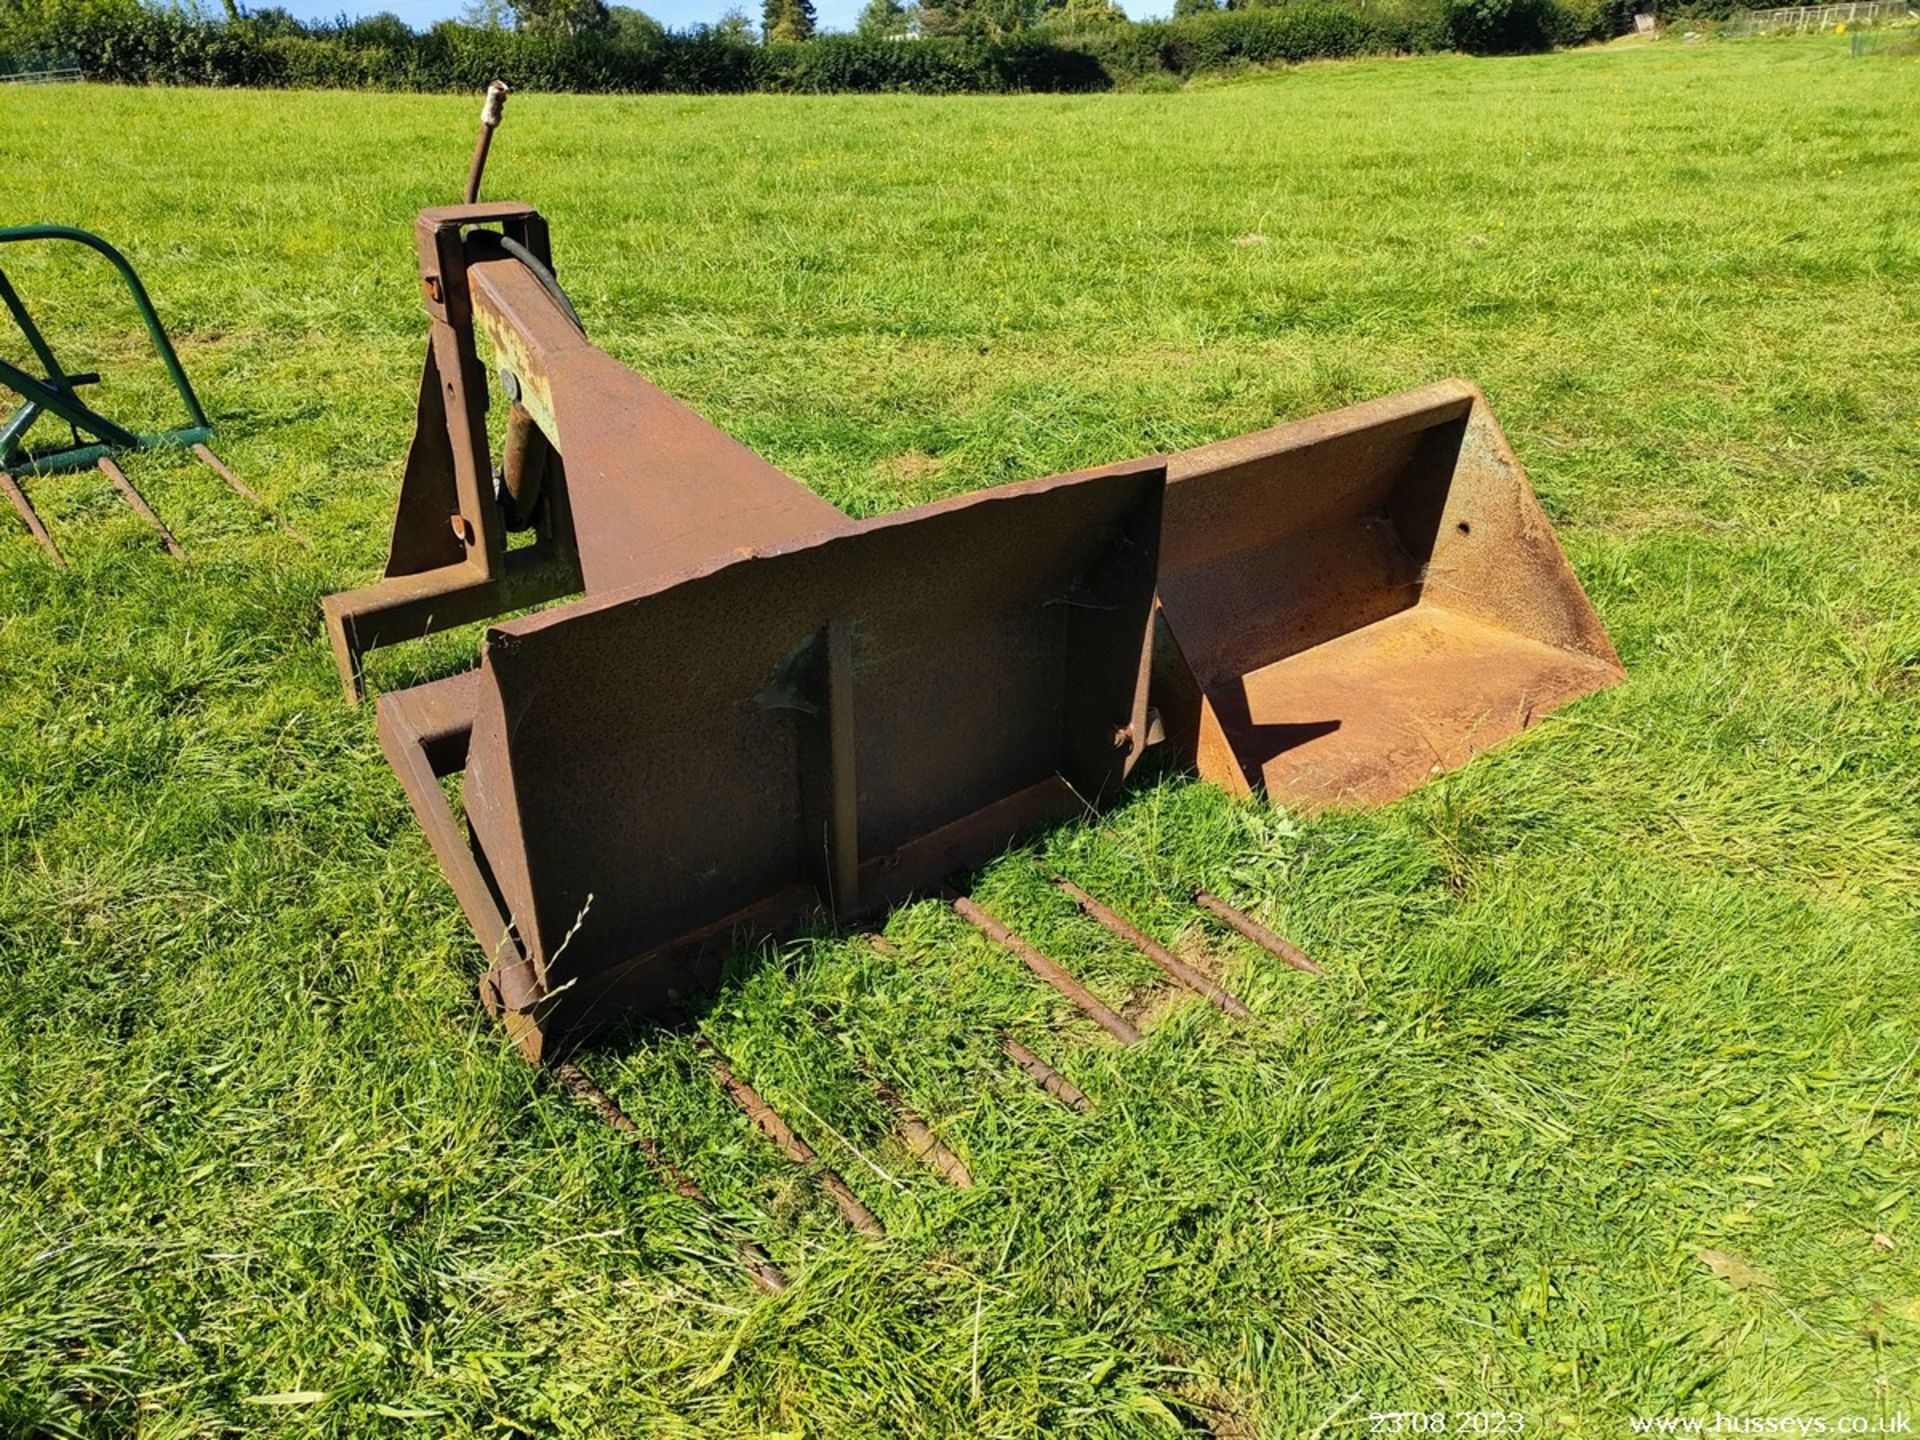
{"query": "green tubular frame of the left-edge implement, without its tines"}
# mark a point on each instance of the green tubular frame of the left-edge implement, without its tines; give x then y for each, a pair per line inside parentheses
(57, 393)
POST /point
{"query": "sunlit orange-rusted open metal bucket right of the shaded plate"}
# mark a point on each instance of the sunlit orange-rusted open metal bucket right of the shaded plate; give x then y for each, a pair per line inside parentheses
(1362, 600)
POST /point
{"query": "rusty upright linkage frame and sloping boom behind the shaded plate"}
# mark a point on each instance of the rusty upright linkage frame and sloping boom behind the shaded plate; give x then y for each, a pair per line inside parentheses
(631, 483)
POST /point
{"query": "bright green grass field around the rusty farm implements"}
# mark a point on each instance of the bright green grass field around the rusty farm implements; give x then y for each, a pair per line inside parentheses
(1606, 1105)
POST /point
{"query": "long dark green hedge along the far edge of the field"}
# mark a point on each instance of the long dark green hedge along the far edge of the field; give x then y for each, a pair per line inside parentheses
(143, 45)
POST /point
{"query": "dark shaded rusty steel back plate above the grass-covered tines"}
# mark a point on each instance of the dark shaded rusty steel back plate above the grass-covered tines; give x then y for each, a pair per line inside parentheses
(834, 723)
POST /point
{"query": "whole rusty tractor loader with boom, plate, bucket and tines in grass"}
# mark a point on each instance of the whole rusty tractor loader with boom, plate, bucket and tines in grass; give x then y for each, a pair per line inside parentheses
(759, 713)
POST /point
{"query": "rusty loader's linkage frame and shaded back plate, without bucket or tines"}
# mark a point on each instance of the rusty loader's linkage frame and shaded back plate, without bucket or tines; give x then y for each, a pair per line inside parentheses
(761, 709)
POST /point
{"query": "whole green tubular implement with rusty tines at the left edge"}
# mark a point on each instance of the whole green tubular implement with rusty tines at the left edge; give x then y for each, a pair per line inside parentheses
(93, 437)
